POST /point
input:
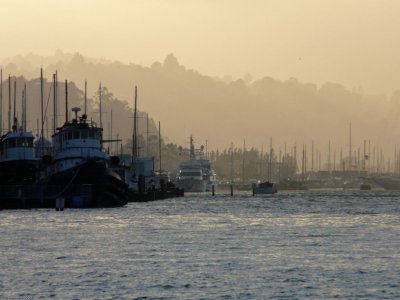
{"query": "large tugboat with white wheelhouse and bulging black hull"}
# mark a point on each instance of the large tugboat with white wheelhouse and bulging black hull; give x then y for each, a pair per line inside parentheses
(78, 159)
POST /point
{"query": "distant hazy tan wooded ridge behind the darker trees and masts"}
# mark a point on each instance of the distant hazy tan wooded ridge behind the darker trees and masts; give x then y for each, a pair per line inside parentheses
(222, 111)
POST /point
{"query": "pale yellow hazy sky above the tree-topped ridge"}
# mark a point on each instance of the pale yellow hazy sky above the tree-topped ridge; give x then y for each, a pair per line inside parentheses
(353, 42)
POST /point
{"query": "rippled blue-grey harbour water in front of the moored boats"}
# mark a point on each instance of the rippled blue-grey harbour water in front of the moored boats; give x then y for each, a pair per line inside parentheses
(332, 244)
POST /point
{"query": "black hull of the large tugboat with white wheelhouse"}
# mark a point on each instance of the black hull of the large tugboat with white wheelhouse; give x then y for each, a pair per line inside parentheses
(107, 188)
